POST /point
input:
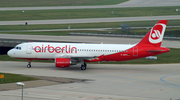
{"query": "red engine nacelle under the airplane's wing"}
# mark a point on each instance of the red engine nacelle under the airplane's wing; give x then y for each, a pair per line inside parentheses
(62, 62)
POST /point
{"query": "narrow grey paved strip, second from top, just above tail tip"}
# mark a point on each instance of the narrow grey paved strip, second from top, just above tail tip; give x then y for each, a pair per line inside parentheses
(90, 20)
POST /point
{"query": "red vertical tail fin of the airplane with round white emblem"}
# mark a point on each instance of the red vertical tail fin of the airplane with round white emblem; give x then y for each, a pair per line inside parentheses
(155, 35)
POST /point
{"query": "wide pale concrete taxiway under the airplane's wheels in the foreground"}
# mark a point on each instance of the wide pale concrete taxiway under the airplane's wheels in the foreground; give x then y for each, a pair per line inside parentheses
(109, 82)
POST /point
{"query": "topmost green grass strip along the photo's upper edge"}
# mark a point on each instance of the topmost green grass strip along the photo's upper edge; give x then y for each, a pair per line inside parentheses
(35, 3)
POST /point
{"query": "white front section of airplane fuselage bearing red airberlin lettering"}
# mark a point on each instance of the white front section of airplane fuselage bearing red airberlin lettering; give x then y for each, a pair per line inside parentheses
(47, 50)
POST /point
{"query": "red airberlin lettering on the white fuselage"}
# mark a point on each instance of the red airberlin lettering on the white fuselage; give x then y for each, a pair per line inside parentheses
(57, 49)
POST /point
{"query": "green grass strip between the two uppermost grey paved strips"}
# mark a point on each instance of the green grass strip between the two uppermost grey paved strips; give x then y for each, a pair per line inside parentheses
(87, 13)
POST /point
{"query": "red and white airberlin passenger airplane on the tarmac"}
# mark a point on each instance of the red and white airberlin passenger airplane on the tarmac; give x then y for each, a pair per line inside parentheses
(66, 54)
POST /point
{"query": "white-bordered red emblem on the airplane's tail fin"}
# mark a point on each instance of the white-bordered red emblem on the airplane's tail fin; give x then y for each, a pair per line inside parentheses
(156, 33)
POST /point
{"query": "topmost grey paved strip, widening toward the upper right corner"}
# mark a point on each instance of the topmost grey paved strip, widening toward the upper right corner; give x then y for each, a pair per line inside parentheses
(131, 3)
